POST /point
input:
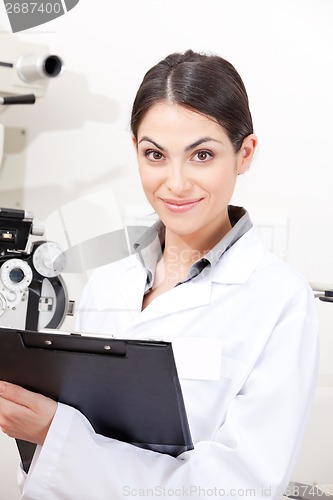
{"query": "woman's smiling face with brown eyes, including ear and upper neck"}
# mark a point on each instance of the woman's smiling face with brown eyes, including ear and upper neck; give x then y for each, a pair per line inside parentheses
(188, 169)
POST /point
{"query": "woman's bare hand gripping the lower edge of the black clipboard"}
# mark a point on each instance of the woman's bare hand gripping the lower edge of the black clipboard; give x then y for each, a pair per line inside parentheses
(24, 414)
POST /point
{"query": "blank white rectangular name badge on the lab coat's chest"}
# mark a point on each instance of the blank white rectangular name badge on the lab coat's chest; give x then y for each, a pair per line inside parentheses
(197, 357)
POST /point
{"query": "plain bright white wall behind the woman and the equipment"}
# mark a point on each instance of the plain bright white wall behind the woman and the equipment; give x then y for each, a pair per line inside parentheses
(77, 138)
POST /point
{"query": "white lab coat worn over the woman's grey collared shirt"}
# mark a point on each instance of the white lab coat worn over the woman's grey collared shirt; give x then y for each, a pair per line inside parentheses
(254, 317)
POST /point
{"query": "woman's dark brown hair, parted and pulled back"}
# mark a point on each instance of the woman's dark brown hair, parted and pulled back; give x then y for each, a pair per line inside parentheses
(207, 84)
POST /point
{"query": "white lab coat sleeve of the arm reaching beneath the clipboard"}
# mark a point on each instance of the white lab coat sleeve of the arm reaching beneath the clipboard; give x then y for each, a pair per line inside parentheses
(251, 456)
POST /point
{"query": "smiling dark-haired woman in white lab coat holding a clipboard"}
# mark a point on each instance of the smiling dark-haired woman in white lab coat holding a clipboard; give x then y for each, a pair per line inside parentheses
(201, 273)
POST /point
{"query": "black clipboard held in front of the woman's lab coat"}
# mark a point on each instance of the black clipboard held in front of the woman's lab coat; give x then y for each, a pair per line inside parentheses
(128, 389)
